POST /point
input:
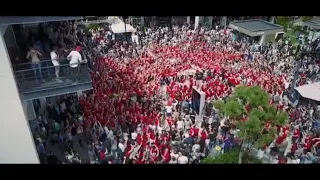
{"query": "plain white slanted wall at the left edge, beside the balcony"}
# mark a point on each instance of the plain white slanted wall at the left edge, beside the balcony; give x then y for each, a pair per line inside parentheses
(16, 144)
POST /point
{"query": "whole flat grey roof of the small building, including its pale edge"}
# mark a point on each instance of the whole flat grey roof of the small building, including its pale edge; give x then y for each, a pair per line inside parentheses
(256, 27)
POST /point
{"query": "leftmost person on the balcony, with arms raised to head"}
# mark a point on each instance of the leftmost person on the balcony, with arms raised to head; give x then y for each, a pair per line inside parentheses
(34, 55)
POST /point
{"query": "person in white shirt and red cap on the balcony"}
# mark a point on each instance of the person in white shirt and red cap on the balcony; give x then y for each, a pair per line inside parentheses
(75, 59)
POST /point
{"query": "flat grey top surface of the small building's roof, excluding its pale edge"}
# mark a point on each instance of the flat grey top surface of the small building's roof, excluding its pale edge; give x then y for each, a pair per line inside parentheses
(257, 25)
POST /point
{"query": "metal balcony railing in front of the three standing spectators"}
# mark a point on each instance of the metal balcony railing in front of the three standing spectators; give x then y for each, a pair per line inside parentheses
(32, 77)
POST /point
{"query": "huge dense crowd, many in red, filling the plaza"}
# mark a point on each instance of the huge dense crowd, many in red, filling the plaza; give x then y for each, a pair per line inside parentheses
(139, 111)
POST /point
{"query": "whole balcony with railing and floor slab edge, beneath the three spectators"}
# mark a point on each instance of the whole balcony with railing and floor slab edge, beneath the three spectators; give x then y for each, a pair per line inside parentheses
(39, 80)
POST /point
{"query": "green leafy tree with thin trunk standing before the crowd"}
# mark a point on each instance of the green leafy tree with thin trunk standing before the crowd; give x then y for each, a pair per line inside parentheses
(249, 109)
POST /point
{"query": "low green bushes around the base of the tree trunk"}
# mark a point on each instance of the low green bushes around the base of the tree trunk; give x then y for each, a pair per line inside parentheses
(231, 157)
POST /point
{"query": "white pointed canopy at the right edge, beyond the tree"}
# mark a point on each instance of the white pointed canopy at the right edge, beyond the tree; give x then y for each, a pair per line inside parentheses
(310, 91)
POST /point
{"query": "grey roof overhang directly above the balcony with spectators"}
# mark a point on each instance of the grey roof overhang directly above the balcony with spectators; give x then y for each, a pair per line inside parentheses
(5, 20)
